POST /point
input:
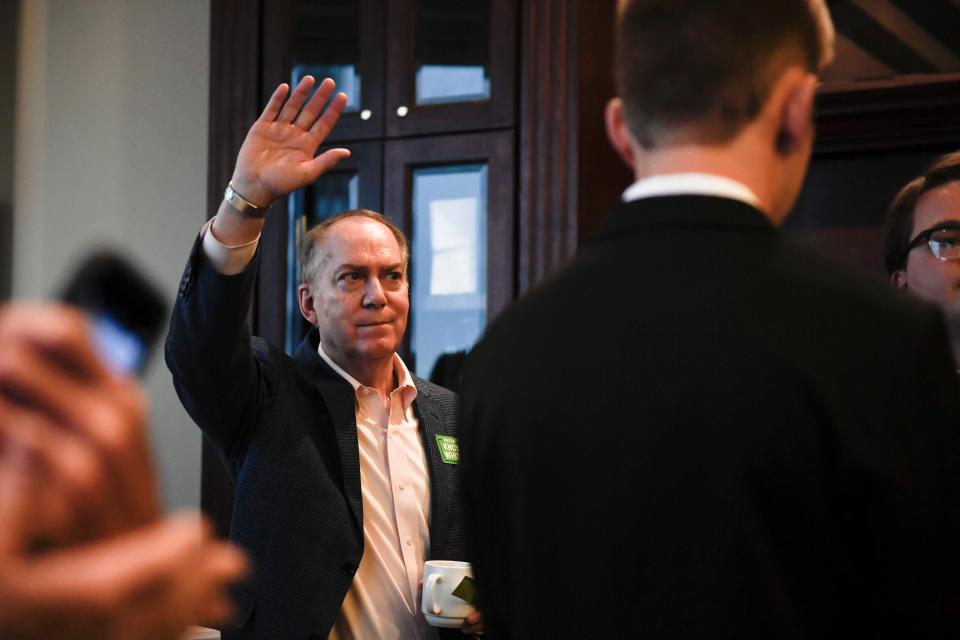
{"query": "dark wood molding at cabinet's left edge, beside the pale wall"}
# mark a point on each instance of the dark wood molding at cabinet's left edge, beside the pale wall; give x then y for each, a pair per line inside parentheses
(235, 99)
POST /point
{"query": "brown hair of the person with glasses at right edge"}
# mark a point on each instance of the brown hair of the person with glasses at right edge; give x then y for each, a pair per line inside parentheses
(898, 227)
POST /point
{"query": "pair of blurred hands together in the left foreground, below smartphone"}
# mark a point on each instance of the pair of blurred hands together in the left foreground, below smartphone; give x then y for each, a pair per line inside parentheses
(83, 551)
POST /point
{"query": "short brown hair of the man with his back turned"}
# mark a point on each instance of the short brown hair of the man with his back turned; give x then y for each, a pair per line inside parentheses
(705, 68)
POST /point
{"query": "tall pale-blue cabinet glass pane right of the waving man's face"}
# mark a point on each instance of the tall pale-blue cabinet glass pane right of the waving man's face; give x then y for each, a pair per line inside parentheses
(449, 262)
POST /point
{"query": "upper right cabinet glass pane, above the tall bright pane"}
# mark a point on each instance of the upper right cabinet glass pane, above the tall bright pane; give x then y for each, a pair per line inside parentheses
(452, 51)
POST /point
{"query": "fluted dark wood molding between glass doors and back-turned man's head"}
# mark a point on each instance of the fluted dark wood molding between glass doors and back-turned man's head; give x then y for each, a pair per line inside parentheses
(568, 174)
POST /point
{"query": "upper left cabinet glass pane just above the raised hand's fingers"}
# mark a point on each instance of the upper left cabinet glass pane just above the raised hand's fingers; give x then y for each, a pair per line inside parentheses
(326, 43)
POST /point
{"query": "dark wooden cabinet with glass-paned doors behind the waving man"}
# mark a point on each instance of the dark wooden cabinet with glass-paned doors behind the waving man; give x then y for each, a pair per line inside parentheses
(476, 124)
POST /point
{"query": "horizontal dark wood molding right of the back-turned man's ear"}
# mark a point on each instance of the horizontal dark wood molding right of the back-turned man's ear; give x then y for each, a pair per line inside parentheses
(909, 112)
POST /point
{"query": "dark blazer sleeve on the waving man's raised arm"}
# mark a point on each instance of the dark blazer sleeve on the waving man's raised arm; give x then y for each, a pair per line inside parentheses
(220, 382)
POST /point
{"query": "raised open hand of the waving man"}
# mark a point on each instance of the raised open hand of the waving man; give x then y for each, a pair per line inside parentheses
(277, 156)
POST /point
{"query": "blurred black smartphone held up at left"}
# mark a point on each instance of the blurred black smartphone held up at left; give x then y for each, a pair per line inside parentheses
(127, 312)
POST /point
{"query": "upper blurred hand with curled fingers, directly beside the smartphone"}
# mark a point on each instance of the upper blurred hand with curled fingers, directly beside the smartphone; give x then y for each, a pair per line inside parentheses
(83, 429)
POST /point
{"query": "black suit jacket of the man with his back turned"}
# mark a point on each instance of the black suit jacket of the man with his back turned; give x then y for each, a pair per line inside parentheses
(701, 430)
